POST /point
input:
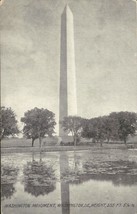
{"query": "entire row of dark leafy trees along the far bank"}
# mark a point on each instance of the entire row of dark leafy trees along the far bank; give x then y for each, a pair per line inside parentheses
(40, 122)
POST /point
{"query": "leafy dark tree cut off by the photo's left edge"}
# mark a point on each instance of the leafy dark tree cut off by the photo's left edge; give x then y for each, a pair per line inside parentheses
(8, 123)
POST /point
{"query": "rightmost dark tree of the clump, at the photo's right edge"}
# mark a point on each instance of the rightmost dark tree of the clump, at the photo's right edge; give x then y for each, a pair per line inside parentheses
(127, 123)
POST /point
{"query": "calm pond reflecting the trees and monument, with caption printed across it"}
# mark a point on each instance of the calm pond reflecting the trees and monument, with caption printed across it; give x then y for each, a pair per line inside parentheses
(99, 181)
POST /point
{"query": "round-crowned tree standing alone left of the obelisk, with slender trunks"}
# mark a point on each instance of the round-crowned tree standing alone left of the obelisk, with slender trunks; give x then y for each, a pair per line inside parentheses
(38, 124)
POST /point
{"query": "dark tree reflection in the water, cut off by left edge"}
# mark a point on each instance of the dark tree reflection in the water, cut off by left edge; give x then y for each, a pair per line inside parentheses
(8, 180)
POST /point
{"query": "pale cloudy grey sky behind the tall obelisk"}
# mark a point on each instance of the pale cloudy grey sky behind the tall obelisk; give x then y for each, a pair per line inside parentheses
(105, 55)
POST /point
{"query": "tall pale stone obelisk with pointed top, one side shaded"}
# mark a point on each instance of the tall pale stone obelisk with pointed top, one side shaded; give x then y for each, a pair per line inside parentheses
(67, 99)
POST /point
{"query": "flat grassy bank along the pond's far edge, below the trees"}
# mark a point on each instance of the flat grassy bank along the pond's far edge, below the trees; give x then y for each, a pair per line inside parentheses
(24, 145)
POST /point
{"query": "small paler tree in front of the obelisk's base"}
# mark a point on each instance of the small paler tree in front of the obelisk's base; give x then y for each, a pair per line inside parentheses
(73, 125)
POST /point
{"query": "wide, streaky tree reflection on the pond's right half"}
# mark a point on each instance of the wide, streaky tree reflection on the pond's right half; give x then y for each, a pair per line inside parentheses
(119, 172)
